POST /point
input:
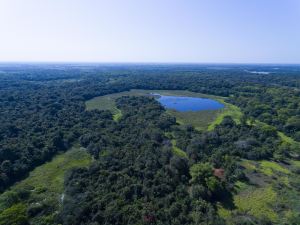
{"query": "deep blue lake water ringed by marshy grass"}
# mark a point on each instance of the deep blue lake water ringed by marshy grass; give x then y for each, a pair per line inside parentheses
(184, 104)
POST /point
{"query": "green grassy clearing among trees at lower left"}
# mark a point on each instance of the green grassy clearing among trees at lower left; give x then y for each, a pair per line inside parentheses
(42, 191)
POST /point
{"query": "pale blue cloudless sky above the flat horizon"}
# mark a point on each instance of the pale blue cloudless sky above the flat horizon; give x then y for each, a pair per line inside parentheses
(150, 31)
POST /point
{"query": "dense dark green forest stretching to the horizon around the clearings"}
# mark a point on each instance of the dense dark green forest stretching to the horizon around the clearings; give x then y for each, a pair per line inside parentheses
(135, 176)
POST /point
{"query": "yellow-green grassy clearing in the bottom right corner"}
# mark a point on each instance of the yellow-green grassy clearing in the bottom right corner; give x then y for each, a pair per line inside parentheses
(272, 192)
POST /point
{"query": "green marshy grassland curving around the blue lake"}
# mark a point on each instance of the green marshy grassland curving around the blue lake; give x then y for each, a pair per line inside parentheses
(201, 120)
